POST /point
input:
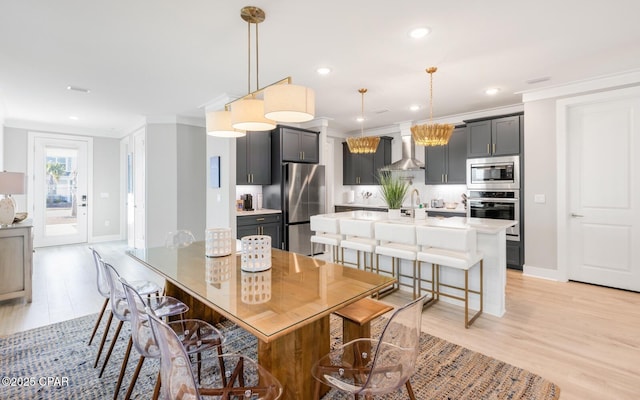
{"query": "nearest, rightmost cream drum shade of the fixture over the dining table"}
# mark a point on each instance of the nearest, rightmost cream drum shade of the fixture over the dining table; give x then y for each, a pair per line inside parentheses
(289, 103)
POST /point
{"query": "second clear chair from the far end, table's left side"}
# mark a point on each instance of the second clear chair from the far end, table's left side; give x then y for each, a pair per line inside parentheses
(163, 306)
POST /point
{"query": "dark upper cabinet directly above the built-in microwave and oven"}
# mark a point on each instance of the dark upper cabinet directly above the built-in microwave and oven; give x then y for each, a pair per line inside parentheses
(494, 137)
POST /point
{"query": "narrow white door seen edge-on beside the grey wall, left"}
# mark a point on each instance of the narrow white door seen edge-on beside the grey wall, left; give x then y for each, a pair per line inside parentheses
(139, 193)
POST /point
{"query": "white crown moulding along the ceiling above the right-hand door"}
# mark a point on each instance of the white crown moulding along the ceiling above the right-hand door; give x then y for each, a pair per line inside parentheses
(599, 83)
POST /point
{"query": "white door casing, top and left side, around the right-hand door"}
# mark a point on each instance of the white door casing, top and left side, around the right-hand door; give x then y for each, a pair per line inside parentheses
(563, 209)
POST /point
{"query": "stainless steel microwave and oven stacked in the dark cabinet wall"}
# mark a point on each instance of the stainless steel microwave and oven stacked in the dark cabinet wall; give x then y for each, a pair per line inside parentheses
(493, 186)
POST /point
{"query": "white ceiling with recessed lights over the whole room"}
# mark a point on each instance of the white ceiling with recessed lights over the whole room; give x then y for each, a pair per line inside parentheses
(166, 58)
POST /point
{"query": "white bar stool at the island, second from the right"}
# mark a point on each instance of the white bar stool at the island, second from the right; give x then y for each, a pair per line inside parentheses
(398, 241)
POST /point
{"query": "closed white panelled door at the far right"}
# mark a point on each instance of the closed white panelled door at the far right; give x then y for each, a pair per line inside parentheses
(603, 142)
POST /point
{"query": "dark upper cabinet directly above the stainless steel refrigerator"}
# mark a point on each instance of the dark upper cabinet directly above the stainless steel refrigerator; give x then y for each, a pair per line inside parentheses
(297, 145)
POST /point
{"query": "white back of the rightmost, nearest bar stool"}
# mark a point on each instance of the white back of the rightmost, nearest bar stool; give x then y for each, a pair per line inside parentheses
(455, 239)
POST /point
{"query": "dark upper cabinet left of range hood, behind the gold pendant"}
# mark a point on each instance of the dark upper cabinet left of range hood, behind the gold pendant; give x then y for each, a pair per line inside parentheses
(362, 169)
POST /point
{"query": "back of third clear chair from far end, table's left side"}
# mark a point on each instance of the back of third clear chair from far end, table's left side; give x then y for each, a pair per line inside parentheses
(141, 334)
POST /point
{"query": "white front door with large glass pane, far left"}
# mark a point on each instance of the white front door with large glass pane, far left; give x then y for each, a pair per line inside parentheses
(60, 201)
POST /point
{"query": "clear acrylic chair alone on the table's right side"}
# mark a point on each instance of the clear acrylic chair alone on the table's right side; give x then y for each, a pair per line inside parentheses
(370, 367)
